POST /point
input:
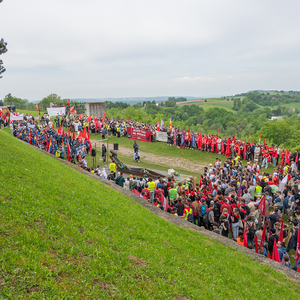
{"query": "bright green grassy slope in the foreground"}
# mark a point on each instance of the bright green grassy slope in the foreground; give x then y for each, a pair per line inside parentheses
(65, 235)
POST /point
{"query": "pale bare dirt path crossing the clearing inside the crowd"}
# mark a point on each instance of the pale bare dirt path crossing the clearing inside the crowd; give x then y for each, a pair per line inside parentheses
(174, 162)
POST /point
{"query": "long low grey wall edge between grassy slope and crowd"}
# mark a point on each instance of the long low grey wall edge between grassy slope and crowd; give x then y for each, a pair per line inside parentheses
(184, 224)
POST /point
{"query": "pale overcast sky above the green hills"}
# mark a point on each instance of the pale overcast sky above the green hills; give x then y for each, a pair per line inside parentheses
(141, 48)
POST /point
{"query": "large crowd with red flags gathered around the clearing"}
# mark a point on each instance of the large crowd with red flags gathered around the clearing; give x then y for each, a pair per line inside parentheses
(233, 199)
